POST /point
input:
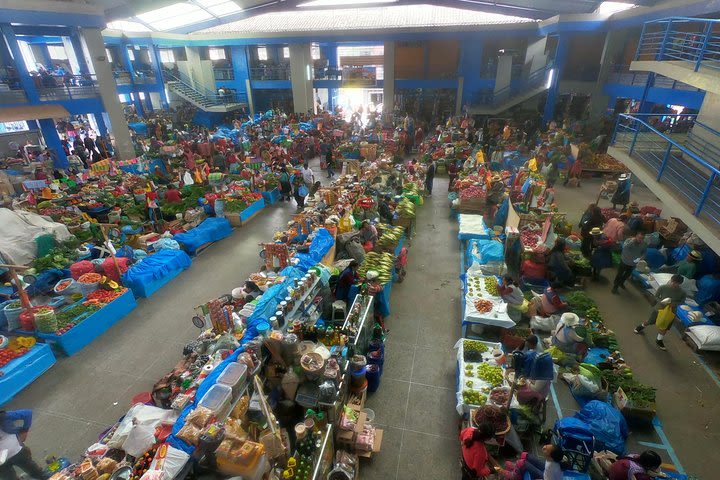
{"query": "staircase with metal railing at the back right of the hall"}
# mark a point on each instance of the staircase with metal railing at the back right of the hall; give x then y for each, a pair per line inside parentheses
(494, 102)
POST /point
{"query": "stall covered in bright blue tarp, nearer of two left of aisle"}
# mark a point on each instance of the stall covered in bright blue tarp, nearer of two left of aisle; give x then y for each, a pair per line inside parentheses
(155, 271)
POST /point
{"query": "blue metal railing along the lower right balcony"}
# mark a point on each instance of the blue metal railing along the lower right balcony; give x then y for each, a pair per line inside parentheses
(692, 176)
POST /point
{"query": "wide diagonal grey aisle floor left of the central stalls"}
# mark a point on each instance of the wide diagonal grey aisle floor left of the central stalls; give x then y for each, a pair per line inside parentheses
(82, 395)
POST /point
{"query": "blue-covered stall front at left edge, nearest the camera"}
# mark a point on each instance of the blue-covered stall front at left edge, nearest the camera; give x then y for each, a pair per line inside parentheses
(22, 371)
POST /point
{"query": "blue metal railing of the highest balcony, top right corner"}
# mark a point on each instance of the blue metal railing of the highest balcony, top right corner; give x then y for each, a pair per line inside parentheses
(692, 40)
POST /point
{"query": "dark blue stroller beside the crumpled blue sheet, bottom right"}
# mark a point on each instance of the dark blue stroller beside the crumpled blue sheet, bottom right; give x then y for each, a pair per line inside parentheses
(578, 445)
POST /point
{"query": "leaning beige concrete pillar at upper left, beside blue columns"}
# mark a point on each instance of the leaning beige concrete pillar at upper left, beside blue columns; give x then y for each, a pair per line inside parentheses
(106, 83)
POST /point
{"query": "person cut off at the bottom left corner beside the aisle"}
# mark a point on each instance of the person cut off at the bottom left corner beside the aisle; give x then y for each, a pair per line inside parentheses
(14, 428)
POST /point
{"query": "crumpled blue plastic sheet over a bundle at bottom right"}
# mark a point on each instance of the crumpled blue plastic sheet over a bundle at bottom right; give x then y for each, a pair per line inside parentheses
(605, 422)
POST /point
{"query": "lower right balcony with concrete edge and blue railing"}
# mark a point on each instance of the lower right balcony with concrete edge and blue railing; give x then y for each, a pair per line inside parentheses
(677, 158)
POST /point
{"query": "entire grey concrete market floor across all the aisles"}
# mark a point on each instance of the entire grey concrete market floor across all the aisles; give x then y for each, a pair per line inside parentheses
(82, 395)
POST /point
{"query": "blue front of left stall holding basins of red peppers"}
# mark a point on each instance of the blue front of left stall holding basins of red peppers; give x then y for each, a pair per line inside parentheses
(92, 327)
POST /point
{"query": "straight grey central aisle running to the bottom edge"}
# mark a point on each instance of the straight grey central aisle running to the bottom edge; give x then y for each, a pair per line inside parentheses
(414, 404)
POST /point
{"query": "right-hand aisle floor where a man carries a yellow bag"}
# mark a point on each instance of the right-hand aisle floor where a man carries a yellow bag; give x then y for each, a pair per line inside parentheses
(687, 396)
